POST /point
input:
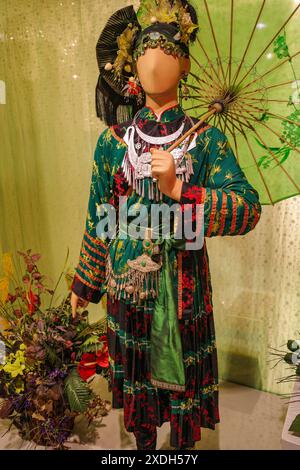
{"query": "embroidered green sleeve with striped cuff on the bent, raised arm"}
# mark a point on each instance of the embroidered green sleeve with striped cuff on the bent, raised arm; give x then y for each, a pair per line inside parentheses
(231, 204)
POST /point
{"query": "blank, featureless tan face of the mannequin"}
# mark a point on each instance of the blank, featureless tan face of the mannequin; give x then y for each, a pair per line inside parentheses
(160, 73)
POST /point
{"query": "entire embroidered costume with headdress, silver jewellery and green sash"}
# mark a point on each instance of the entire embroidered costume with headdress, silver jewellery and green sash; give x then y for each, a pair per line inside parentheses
(161, 334)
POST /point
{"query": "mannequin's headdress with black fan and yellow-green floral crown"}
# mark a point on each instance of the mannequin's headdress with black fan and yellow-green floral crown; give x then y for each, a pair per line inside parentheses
(169, 24)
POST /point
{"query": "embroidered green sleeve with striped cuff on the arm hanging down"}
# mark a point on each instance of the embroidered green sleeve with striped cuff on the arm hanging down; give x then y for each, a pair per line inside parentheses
(90, 271)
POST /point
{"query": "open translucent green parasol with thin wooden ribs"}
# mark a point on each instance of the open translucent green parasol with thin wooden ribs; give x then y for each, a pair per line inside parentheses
(245, 58)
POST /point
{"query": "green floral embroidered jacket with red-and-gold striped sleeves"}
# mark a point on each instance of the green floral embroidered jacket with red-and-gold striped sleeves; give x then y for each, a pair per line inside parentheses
(231, 205)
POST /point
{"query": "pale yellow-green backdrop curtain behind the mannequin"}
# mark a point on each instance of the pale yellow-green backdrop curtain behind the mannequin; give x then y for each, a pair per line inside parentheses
(48, 132)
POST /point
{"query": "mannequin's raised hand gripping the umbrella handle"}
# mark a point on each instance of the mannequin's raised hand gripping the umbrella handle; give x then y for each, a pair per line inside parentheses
(163, 168)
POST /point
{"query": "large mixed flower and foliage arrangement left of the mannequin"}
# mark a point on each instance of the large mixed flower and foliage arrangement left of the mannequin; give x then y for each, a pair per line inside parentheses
(47, 359)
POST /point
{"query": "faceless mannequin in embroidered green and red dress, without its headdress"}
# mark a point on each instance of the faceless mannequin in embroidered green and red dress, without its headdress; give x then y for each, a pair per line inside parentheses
(230, 207)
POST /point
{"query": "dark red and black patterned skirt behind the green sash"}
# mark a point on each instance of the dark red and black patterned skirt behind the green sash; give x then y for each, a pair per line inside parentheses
(129, 334)
